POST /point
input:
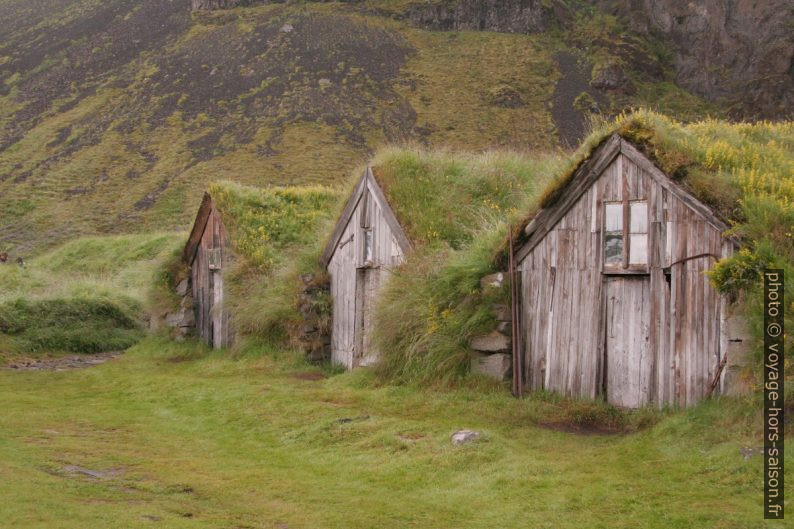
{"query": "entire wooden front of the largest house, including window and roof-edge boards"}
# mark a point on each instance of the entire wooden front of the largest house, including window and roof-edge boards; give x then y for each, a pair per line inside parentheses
(615, 300)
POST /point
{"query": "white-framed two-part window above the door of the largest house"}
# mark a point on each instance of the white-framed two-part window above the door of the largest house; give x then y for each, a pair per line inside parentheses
(625, 240)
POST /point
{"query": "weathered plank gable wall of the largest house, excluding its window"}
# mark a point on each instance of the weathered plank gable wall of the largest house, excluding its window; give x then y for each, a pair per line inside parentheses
(565, 297)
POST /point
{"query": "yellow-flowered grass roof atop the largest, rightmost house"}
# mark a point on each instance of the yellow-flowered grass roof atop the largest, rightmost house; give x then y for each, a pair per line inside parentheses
(743, 171)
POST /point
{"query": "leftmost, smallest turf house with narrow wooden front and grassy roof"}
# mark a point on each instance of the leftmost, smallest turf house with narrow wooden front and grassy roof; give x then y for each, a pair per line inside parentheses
(244, 237)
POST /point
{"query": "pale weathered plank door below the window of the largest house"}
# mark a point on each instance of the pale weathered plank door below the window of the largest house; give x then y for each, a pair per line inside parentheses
(629, 361)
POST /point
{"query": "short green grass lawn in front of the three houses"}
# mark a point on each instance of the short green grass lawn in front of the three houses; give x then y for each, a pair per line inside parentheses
(185, 437)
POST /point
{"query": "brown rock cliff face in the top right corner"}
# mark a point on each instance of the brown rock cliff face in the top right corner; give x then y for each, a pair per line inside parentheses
(738, 51)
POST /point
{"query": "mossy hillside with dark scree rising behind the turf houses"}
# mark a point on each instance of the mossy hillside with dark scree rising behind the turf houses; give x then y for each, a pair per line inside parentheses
(116, 115)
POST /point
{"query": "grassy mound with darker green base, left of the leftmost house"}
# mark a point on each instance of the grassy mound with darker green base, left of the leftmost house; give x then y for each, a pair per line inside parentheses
(89, 295)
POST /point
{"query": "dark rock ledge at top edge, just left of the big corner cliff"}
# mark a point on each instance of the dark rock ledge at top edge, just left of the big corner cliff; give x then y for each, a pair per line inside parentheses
(507, 16)
